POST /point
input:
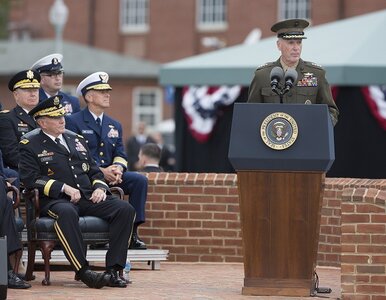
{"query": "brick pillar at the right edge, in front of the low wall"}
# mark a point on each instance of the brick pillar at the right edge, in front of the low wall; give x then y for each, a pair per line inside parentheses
(363, 253)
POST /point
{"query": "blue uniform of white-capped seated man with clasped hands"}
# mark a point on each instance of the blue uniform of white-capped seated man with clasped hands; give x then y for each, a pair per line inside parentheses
(106, 146)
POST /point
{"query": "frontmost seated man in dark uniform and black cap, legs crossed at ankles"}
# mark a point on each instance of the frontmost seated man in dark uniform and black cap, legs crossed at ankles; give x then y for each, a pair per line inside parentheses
(59, 164)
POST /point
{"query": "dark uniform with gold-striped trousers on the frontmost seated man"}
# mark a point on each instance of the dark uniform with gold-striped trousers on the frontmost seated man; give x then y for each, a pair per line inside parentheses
(47, 166)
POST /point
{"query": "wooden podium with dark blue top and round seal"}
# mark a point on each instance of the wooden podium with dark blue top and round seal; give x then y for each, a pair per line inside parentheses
(280, 193)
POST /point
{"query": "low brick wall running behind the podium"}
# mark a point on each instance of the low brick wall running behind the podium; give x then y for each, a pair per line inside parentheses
(196, 216)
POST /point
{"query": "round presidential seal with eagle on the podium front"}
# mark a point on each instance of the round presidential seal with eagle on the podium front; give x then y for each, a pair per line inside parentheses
(279, 131)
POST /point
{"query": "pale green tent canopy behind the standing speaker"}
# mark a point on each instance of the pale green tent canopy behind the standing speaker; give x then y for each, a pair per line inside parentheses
(352, 51)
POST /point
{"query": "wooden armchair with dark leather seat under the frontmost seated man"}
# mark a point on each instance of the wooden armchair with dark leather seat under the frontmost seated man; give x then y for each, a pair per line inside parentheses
(41, 233)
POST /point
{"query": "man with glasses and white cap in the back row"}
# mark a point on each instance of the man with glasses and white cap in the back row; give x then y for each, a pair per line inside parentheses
(51, 72)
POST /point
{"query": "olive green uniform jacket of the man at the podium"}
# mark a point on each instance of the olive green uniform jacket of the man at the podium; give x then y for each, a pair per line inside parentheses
(311, 87)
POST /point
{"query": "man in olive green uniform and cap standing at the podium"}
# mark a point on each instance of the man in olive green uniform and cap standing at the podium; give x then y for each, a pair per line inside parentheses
(291, 79)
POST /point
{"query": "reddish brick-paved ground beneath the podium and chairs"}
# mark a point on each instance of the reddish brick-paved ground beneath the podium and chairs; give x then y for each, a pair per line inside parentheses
(173, 281)
